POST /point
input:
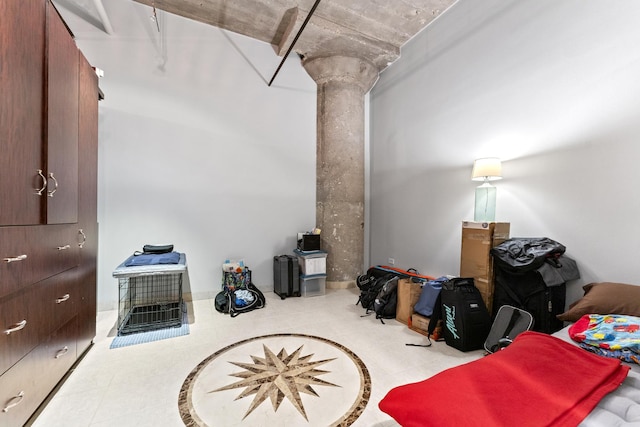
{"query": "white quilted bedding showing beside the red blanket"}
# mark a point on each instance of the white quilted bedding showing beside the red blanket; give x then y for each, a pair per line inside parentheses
(620, 407)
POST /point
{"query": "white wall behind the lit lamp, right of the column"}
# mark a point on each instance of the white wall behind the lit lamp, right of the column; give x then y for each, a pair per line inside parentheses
(549, 86)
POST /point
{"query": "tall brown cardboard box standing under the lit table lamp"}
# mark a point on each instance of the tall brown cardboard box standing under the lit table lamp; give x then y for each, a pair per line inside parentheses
(475, 259)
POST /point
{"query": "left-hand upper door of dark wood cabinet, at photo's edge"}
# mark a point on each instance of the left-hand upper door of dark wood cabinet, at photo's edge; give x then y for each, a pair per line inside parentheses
(22, 44)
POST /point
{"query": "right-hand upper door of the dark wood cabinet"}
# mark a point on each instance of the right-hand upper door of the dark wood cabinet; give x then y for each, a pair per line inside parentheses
(62, 122)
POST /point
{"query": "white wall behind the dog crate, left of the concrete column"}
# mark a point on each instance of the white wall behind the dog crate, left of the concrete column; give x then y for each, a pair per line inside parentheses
(194, 148)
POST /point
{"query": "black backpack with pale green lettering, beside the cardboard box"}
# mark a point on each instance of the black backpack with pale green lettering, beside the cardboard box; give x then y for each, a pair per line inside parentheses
(466, 320)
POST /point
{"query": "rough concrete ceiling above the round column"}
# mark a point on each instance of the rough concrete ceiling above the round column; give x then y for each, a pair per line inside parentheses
(373, 30)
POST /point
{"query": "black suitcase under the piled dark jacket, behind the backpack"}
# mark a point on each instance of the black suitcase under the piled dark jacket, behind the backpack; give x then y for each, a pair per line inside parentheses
(529, 292)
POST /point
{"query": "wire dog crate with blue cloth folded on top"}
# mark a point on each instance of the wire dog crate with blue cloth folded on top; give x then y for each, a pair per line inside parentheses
(149, 297)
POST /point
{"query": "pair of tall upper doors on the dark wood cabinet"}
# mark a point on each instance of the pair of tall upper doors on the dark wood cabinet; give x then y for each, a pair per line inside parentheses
(39, 115)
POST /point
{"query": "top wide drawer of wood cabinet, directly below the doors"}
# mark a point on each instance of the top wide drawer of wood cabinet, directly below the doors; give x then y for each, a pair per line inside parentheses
(30, 254)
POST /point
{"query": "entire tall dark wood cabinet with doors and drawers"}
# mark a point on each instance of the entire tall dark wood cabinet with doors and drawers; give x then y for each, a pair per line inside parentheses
(48, 217)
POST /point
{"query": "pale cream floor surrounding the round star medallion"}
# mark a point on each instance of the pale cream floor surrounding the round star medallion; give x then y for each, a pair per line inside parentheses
(139, 385)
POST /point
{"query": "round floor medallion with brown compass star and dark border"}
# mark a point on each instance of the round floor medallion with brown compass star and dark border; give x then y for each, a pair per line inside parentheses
(276, 380)
